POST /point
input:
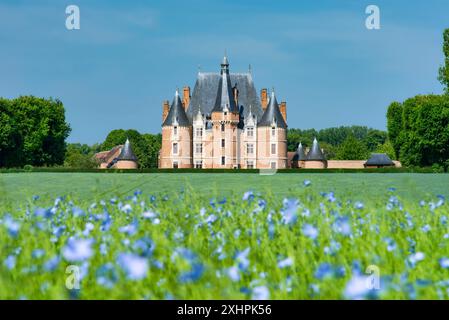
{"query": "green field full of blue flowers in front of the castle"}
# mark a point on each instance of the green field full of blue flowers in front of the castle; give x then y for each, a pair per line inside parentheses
(204, 236)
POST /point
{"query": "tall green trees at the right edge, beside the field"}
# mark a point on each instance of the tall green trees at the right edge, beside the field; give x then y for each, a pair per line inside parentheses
(418, 128)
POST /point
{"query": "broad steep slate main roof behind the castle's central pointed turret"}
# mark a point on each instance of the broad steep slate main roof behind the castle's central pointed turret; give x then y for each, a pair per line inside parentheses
(204, 94)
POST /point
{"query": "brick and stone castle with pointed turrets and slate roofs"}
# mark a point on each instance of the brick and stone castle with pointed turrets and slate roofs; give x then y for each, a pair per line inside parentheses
(224, 124)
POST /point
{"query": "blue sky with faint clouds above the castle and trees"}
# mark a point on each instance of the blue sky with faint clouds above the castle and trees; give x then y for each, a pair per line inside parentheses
(129, 56)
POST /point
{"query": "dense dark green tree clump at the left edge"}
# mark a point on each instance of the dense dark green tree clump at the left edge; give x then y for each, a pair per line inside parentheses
(33, 132)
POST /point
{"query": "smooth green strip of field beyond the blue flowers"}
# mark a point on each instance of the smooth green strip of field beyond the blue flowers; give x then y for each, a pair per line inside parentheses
(16, 188)
